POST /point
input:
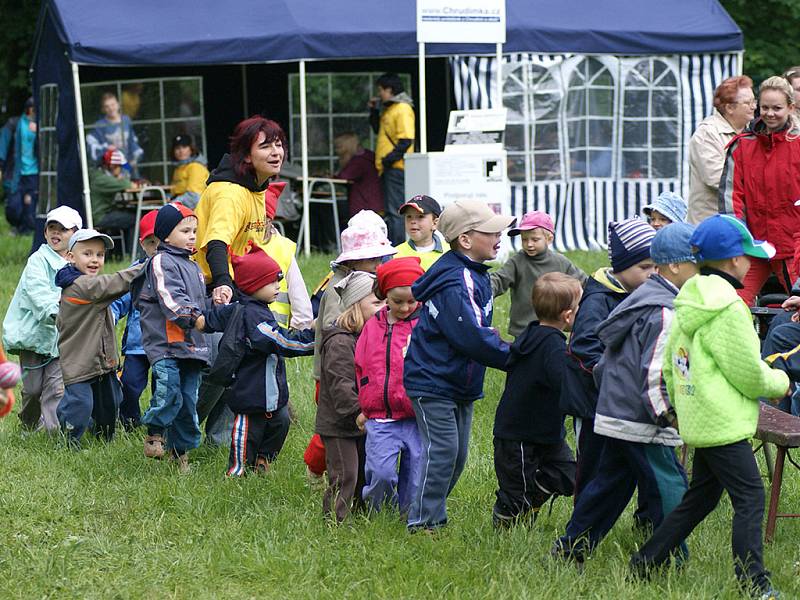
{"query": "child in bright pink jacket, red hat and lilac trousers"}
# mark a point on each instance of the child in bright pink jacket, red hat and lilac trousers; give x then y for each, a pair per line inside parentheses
(391, 427)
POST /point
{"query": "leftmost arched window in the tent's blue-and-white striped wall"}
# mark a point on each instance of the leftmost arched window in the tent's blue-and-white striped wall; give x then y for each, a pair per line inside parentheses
(533, 130)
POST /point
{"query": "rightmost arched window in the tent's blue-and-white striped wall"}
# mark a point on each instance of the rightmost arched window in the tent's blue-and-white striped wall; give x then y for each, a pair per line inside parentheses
(650, 147)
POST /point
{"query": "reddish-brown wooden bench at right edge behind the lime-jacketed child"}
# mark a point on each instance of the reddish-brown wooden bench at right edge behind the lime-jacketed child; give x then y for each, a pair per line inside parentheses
(783, 430)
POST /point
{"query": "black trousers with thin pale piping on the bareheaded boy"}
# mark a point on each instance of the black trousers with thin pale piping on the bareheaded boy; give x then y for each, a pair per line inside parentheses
(529, 474)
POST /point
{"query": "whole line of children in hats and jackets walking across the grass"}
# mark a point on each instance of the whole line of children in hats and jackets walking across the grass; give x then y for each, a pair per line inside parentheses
(401, 343)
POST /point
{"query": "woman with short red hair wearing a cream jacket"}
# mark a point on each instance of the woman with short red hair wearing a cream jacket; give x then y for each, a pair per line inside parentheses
(734, 105)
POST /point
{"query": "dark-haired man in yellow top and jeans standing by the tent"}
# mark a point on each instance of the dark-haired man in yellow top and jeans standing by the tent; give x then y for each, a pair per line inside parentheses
(392, 119)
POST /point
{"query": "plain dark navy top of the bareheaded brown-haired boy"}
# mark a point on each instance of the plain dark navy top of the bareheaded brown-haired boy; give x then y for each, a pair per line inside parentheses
(529, 409)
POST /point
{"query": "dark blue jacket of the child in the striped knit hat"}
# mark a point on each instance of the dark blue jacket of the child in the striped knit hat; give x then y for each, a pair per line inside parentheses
(578, 391)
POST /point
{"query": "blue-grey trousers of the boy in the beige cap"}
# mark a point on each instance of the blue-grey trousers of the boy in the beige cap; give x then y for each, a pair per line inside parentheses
(444, 427)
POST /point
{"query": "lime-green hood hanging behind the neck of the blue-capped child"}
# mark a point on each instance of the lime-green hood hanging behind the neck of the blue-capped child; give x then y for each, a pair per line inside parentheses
(701, 300)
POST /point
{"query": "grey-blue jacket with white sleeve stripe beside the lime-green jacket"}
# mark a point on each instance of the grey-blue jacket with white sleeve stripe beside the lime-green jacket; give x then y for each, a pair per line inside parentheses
(633, 403)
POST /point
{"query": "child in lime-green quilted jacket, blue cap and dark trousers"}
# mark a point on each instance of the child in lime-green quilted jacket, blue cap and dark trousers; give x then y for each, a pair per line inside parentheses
(714, 375)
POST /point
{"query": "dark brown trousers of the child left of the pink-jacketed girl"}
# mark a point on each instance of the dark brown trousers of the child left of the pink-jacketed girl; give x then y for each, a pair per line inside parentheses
(344, 461)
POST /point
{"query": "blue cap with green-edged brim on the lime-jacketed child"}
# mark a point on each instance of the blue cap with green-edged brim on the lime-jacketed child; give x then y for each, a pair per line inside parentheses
(723, 236)
